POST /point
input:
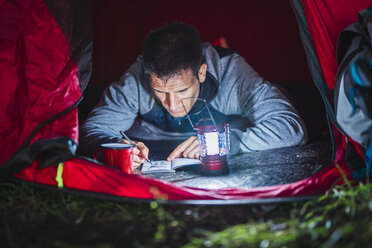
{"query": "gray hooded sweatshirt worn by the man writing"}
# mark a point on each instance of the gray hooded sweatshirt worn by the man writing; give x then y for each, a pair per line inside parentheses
(260, 116)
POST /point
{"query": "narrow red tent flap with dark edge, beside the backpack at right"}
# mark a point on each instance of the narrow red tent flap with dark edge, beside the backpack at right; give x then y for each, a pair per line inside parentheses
(324, 22)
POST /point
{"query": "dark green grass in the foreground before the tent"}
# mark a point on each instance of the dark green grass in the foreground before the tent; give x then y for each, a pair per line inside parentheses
(32, 217)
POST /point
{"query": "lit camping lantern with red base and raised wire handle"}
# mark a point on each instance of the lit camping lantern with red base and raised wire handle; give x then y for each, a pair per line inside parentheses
(214, 144)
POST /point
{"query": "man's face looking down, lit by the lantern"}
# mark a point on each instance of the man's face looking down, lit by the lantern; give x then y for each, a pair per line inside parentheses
(171, 91)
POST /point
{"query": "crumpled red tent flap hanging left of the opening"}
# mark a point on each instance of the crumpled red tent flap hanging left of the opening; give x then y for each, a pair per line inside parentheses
(38, 79)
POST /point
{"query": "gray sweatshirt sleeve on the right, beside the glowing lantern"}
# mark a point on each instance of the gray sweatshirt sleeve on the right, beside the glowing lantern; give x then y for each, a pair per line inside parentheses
(272, 121)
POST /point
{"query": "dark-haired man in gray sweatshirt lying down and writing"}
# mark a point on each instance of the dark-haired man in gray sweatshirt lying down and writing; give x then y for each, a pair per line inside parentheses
(146, 102)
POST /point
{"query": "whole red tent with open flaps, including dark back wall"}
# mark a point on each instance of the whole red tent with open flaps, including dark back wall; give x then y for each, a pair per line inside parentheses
(46, 63)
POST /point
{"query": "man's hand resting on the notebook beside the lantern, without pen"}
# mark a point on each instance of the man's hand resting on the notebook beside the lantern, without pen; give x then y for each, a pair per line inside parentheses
(188, 149)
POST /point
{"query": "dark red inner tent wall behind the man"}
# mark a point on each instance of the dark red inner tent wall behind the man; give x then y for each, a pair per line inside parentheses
(265, 34)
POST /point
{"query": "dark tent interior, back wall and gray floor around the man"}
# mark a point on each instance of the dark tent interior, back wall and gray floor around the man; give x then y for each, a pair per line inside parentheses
(266, 34)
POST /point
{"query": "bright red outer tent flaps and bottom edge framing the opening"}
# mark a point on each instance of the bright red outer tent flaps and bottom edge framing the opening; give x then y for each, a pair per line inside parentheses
(45, 53)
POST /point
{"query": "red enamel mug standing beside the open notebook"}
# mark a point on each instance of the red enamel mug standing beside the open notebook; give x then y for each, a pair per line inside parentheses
(117, 154)
